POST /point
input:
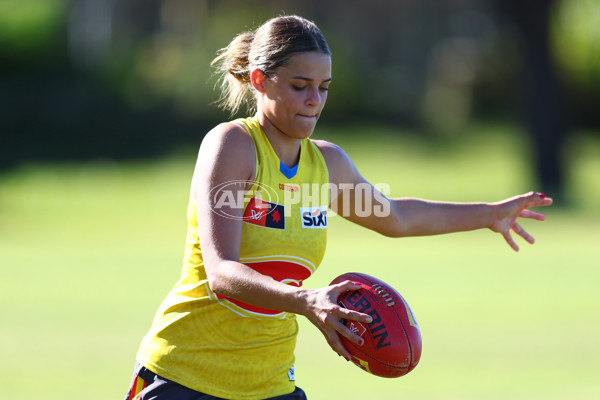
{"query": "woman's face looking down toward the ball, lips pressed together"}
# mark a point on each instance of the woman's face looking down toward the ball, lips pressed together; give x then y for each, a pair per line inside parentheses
(295, 95)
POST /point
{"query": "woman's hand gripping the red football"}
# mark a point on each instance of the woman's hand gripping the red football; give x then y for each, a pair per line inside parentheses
(326, 314)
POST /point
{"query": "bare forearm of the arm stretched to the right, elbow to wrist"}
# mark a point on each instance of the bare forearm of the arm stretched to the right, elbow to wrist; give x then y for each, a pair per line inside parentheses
(416, 217)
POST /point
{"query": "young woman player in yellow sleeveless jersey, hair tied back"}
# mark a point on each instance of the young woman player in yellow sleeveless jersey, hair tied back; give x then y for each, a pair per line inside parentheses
(257, 217)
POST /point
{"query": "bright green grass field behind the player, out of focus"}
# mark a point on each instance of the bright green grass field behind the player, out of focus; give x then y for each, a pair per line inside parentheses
(88, 250)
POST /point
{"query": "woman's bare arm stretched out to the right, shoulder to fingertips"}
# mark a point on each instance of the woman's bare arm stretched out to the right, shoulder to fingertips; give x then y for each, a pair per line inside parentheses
(416, 217)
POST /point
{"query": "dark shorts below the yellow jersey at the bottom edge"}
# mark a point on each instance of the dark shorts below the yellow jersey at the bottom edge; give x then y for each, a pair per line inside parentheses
(146, 385)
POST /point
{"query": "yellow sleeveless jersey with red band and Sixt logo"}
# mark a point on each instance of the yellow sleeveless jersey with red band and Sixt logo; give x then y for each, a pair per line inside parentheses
(221, 346)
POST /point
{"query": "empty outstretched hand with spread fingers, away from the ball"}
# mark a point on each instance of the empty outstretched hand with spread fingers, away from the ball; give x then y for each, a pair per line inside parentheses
(518, 207)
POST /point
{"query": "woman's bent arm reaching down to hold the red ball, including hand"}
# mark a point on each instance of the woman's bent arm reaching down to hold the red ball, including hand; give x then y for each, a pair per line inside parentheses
(227, 154)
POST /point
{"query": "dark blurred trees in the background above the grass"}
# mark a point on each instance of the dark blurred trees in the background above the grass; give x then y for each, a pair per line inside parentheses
(85, 79)
